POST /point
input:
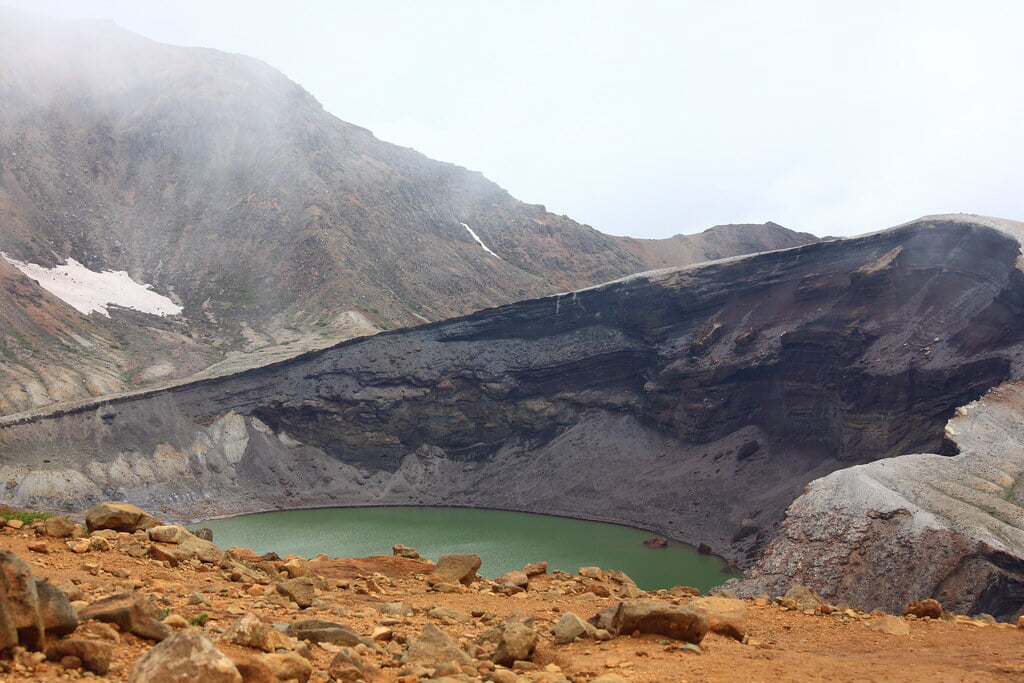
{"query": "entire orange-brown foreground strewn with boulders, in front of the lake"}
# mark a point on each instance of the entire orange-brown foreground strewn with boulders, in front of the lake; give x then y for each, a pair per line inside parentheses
(129, 599)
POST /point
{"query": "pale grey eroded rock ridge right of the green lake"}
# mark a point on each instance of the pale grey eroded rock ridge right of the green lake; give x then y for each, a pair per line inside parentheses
(890, 532)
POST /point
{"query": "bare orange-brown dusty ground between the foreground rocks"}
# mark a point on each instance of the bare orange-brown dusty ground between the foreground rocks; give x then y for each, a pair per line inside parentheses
(785, 645)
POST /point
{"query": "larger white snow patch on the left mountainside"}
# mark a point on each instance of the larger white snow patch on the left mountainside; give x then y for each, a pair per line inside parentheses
(89, 291)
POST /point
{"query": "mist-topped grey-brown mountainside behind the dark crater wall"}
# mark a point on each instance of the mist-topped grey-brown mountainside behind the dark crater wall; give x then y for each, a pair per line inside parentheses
(229, 190)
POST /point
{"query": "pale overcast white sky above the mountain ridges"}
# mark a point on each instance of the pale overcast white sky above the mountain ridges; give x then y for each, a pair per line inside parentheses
(650, 118)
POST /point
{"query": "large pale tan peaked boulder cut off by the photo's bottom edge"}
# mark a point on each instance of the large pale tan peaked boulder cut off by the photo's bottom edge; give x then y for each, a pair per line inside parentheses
(185, 658)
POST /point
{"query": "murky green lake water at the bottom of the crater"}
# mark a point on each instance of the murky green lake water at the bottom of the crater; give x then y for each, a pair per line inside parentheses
(505, 541)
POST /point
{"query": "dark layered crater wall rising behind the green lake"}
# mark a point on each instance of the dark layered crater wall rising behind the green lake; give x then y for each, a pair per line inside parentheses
(696, 402)
